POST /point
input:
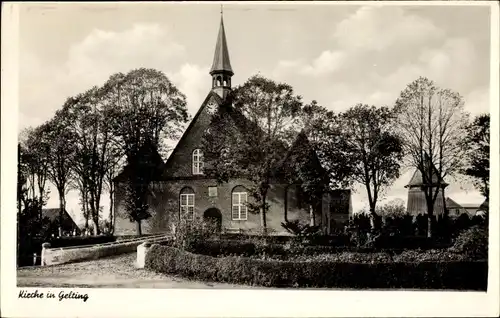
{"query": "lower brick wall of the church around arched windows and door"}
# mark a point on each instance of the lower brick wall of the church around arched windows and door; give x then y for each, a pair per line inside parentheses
(164, 204)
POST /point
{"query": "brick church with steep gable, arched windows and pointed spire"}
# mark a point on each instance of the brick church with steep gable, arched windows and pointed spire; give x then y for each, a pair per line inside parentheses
(182, 191)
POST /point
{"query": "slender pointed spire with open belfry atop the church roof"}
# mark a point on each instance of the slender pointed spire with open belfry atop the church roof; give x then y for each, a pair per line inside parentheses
(221, 70)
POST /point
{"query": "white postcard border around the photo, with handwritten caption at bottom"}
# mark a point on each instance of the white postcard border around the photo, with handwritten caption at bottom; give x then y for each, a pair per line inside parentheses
(222, 303)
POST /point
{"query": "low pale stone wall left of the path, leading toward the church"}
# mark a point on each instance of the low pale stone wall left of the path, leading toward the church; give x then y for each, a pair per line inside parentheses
(55, 256)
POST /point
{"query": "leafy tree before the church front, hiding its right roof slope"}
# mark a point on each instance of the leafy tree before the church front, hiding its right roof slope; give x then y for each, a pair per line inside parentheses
(249, 139)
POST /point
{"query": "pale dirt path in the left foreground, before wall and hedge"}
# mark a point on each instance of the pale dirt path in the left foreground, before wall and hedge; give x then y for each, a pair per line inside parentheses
(117, 272)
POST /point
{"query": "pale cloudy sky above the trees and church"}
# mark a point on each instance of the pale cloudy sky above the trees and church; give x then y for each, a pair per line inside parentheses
(339, 55)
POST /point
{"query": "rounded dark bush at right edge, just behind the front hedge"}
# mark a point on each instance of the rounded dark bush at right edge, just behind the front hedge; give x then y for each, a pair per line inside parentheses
(472, 242)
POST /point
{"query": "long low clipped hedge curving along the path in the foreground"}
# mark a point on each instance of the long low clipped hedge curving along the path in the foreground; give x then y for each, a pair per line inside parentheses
(468, 275)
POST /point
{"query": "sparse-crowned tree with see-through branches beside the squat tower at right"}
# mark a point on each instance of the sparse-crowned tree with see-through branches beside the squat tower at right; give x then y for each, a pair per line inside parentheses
(431, 122)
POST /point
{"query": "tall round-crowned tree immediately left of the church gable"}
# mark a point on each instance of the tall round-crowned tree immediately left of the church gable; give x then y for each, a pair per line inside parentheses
(145, 109)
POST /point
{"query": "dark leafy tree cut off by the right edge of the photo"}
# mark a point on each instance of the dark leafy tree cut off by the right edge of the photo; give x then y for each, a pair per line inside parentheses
(477, 143)
